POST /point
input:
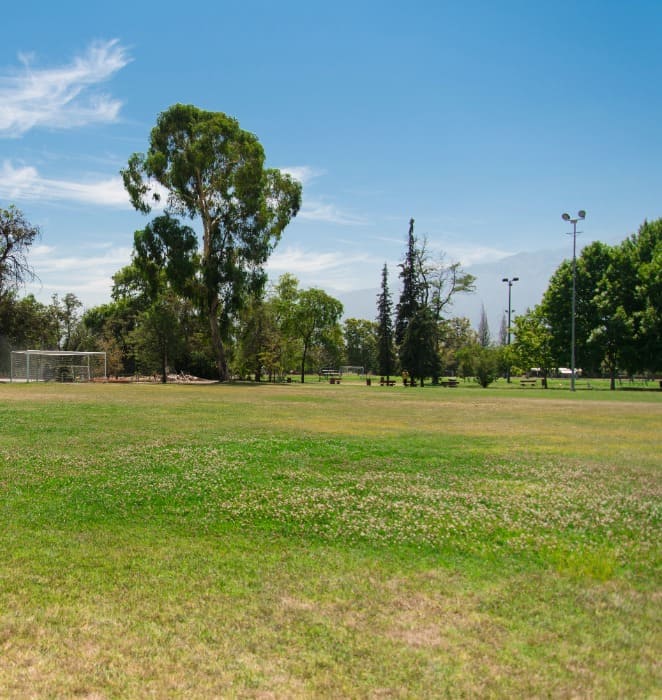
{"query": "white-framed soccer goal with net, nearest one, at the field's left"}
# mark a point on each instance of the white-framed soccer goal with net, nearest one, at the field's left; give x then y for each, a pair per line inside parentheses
(57, 366)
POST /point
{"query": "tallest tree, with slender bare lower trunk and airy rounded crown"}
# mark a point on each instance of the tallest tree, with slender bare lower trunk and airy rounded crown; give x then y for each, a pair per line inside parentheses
(214, 170)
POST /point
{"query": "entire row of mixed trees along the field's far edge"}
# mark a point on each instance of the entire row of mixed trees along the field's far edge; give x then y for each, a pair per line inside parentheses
(203, 305)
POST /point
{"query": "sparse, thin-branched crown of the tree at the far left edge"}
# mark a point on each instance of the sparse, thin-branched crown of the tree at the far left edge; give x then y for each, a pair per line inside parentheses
(16, 237)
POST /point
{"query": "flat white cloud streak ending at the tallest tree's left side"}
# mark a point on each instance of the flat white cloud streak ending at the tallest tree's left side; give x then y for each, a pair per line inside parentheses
(25, 183)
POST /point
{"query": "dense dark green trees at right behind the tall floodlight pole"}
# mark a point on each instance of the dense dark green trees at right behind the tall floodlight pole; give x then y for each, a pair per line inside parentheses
(618, 315)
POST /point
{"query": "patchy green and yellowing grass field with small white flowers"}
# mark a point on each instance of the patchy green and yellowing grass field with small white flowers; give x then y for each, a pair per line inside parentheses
(329, 541)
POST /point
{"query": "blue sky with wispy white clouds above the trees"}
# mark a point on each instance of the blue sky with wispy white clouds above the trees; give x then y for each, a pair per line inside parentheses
(482, 120)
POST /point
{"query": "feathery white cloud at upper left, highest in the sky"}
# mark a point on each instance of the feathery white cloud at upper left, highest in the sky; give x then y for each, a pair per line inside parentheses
(61, 97)
